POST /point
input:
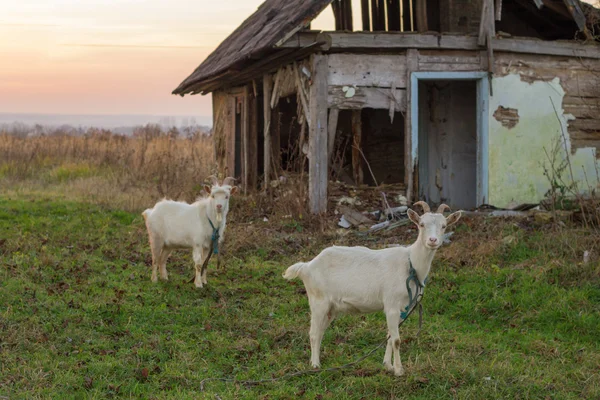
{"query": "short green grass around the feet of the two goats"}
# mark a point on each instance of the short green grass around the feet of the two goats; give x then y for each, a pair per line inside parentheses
(79, 318)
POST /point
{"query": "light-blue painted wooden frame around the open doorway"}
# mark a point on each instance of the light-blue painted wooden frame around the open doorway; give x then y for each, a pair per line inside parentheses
(482, 110)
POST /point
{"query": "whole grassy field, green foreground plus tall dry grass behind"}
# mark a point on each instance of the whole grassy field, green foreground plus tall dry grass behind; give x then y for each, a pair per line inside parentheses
(511, 311)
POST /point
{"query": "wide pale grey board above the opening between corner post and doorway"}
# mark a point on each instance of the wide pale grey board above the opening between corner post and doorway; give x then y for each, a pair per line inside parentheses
(367, 70)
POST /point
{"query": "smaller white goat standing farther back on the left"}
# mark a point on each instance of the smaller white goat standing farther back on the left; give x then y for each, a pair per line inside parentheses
(178, 225)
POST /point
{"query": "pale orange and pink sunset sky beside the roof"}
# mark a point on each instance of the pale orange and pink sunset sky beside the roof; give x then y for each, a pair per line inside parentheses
(112, 56)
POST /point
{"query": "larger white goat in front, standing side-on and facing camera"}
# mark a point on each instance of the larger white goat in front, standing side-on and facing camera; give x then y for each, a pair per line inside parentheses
(360, 280)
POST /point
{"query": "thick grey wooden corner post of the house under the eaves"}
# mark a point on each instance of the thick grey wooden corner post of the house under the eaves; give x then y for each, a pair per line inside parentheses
(318, 165)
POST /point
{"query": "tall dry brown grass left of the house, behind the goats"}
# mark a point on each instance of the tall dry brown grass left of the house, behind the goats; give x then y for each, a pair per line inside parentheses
(129, 173)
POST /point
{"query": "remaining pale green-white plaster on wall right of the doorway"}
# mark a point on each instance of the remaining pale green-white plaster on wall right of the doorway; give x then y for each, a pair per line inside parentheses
(517, 155)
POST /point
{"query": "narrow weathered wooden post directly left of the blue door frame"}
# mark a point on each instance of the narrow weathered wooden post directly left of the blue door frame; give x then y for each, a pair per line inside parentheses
(412, 65)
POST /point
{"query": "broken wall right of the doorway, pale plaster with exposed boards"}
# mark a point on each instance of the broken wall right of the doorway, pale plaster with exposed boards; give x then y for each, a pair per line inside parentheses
(528, 113)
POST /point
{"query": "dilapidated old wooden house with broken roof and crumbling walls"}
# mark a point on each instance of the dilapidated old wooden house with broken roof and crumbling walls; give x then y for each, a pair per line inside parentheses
(462, 101)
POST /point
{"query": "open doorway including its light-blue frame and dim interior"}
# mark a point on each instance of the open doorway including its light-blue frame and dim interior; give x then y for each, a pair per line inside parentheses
(449, 137)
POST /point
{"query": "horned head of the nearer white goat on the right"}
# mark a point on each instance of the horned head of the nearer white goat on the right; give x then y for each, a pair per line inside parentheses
(433, 225)
